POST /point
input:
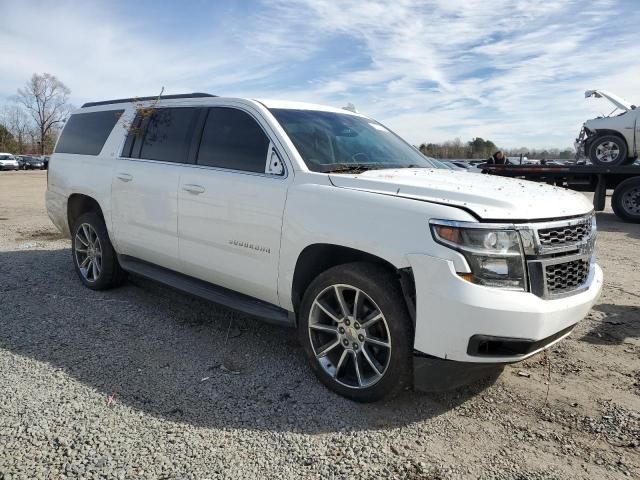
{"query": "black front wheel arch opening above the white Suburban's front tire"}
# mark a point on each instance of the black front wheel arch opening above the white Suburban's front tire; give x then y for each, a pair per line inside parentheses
(319, 257)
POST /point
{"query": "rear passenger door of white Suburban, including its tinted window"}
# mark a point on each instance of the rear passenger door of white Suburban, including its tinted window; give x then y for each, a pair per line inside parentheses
(145, 185)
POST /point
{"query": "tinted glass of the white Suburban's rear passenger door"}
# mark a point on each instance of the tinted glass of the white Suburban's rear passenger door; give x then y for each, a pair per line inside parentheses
(168, 134)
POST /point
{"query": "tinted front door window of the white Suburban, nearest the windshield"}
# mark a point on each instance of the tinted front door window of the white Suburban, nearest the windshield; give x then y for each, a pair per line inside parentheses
(233, 139)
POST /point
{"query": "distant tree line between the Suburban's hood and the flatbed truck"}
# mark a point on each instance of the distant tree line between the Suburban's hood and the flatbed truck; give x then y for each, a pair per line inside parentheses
(479, 148)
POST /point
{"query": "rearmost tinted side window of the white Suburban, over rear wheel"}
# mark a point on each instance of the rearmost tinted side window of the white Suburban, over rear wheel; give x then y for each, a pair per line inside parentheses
(85, 133)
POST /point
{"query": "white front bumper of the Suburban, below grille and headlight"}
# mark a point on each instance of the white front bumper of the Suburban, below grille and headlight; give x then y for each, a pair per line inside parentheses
(452, 314)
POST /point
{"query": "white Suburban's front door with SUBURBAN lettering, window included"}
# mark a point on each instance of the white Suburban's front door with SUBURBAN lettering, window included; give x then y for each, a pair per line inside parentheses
(230, 208)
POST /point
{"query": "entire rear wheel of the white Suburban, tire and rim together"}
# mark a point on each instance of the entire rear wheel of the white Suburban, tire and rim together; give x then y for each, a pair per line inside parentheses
(94, 258)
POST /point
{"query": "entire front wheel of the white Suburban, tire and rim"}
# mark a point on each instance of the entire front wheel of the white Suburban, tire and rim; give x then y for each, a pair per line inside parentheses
(356, 332)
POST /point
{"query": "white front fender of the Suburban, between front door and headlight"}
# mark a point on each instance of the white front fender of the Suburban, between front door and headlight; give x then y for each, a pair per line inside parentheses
(385, 226)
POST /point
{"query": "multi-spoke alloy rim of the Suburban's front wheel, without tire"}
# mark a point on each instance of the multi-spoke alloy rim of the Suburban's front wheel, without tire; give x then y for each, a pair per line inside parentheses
(349, 336)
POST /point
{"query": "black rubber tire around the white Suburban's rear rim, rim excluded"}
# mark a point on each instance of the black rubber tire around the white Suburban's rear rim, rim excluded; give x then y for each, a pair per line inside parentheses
(111, 273)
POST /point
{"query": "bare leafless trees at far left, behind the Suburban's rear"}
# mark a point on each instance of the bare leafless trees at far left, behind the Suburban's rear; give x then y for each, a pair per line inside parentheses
(31, 121)
